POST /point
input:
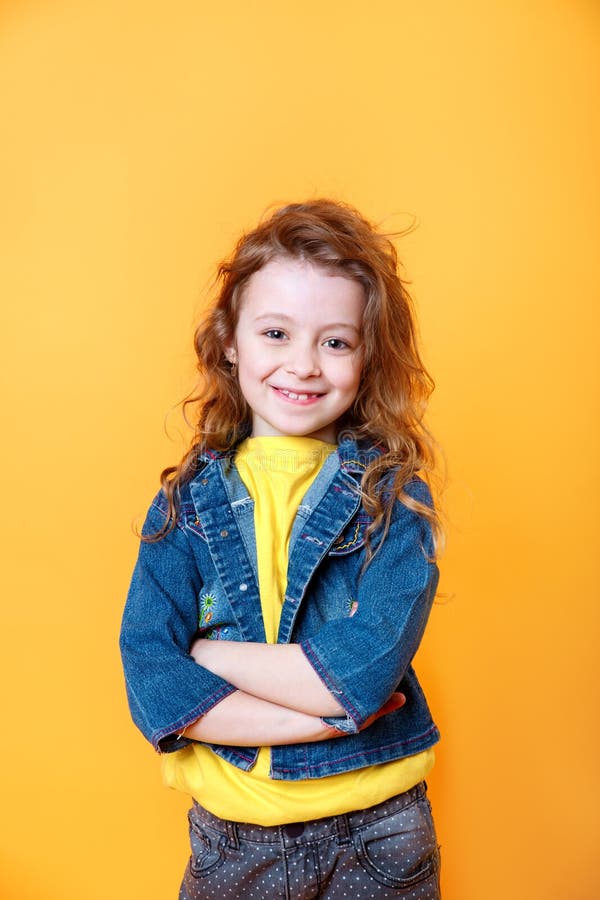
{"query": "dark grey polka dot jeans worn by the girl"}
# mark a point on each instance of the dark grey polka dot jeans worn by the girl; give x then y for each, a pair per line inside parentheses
(389, 850)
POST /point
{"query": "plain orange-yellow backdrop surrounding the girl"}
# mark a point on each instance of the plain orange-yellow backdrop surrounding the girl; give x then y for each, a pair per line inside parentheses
(138, 140)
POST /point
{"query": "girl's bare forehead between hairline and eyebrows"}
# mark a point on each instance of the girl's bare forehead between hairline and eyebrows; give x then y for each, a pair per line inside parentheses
(300, 290)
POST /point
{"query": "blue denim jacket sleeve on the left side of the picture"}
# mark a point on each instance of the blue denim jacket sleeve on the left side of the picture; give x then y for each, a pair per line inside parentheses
(166, 689)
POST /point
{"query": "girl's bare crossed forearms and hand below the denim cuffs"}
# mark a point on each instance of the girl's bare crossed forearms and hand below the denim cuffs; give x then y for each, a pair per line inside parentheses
(279, 698)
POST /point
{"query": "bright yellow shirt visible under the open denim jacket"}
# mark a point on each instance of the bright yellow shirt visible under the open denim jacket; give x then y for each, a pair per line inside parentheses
(277, 471)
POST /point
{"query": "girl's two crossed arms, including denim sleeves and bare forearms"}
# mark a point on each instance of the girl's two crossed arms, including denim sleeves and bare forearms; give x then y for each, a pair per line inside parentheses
(247, 693)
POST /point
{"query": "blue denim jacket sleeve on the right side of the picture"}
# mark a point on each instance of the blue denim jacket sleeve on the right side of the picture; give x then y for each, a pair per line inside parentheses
(362, 659)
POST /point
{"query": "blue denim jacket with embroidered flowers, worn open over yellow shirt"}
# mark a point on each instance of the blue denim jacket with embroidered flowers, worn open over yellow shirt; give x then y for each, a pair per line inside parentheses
(201, 579)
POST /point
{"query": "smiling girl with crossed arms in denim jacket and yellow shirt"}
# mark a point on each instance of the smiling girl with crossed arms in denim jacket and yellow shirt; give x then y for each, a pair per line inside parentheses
(286, 573)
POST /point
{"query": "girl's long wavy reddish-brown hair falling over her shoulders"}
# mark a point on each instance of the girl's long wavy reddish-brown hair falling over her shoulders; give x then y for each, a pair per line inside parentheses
(395, 386)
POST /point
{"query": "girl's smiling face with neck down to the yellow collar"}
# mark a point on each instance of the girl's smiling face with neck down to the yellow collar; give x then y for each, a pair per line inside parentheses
(298, 346)
